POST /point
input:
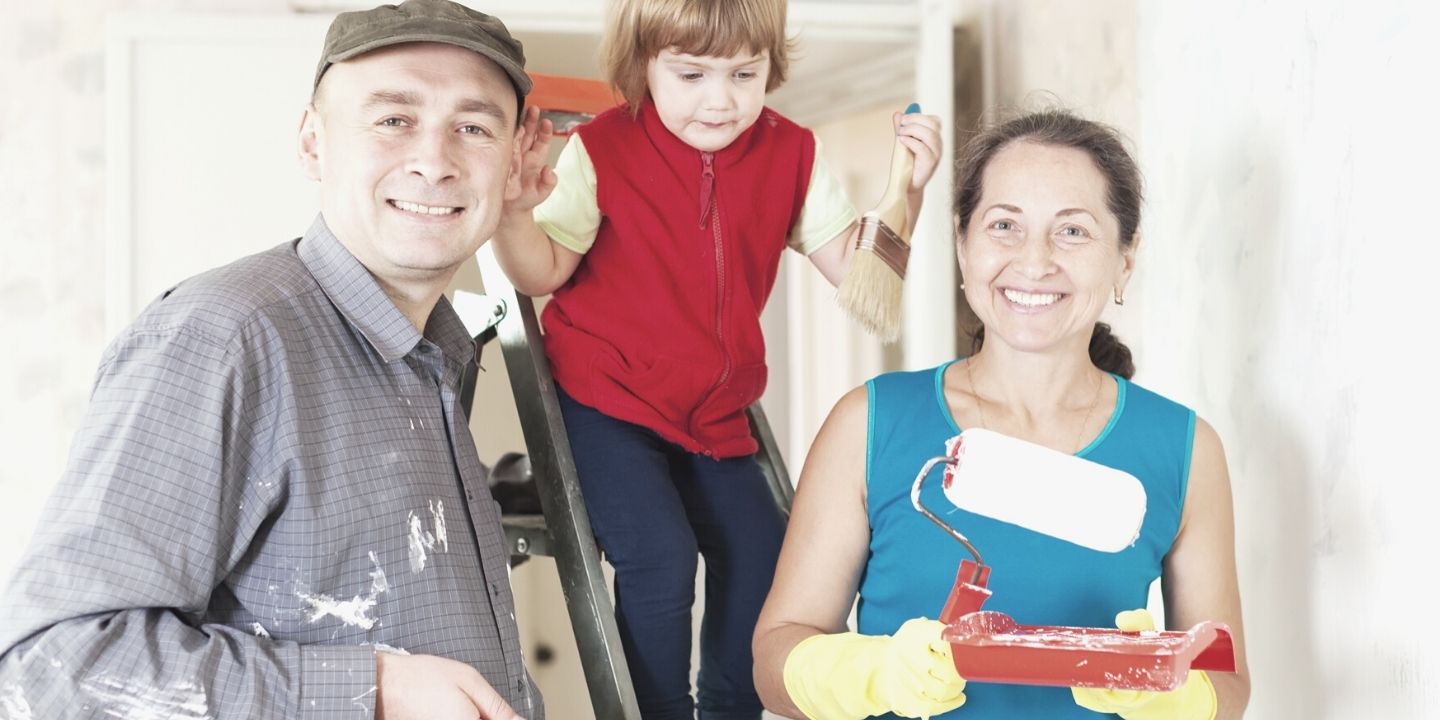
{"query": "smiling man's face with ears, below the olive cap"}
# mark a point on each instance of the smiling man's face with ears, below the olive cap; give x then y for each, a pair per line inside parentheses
(415, 152)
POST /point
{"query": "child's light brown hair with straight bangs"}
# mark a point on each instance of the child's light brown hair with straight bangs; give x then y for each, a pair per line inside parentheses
(640, 30)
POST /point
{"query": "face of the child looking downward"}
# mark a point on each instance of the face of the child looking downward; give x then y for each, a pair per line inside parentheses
(708, 102)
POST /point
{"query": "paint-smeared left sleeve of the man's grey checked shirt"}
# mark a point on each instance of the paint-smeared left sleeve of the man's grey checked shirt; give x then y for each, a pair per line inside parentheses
(104, 616)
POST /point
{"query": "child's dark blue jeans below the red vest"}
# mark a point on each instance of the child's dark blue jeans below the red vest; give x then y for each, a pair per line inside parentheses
(654, 510)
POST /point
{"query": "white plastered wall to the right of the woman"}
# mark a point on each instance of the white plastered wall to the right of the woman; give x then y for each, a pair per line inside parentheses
(1288, 277)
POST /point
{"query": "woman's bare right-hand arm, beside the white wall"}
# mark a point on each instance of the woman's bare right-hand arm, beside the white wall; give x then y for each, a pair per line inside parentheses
(1200, 581)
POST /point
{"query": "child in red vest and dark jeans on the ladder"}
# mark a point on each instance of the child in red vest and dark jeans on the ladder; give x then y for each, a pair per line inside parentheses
(660, 234)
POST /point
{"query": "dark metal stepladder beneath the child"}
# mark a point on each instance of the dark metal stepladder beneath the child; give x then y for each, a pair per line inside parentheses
(564, 532)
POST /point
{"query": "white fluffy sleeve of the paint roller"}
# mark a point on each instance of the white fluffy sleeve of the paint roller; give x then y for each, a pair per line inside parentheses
(1043, 490)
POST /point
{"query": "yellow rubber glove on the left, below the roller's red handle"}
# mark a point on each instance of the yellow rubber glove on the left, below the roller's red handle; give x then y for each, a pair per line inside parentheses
(849, 676)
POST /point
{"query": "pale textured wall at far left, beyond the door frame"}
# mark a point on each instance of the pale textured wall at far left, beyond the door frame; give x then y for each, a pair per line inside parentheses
(53, 149)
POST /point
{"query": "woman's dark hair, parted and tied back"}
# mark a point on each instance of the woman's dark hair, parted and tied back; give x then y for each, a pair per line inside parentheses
(1124, 197)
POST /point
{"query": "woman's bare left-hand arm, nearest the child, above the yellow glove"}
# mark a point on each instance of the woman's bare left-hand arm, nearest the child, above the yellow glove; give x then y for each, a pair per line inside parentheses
(826, 548)
